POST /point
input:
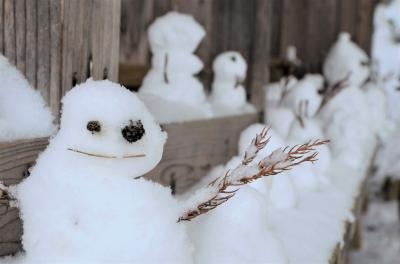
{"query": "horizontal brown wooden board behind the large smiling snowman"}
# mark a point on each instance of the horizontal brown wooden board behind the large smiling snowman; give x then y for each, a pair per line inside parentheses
(191, 150)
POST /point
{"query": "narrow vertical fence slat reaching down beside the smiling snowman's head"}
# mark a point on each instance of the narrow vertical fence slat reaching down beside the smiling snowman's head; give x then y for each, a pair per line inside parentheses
(55, 57)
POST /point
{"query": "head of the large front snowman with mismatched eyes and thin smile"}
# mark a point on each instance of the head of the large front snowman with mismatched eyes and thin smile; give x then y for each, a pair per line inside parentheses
(105, 124)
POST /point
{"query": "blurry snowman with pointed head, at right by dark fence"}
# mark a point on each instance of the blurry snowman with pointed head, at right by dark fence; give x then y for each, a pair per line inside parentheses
(346, 116)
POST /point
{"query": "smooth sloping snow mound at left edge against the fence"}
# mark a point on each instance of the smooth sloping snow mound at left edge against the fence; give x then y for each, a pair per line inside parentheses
(23, 112)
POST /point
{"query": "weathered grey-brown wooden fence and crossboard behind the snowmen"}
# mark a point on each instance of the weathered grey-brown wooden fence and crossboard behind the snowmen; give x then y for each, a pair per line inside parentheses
(58, 43)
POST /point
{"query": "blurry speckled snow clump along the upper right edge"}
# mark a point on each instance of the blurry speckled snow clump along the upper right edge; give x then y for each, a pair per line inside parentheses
(386, 52)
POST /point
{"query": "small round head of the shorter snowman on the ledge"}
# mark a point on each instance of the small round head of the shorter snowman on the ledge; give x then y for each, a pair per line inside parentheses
(230, 66)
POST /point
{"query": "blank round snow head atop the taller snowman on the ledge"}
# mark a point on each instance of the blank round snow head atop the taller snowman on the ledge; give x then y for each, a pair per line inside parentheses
(175, 31)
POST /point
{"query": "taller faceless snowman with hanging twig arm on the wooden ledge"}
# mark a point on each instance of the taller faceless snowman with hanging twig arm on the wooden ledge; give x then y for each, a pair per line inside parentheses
(170, 89)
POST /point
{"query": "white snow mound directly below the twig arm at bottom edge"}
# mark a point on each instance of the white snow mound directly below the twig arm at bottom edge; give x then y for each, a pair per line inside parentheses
(236, 232)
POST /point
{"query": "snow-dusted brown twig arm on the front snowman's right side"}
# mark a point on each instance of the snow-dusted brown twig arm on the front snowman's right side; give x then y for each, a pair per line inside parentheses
(223, 188)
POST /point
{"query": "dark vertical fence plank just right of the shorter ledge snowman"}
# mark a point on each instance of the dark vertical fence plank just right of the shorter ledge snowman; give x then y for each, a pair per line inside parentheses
(259, 61)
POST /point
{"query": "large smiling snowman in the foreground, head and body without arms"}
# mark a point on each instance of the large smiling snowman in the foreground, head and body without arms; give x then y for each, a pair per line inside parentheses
(85, 202)
